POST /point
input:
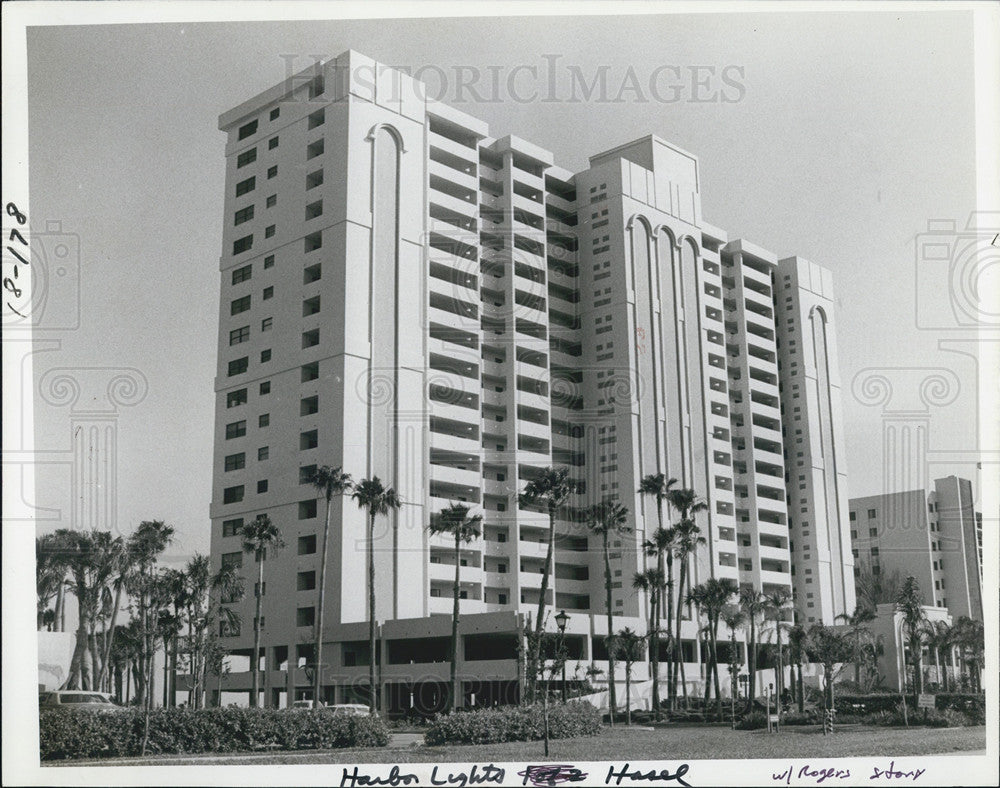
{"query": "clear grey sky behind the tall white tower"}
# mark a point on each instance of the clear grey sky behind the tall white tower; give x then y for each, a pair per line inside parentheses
(847, 135)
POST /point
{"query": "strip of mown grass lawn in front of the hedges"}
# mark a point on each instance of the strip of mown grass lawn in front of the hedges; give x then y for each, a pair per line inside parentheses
(624, 744)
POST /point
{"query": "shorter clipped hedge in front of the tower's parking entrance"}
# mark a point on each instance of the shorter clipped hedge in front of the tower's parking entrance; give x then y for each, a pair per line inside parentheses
(514, 723)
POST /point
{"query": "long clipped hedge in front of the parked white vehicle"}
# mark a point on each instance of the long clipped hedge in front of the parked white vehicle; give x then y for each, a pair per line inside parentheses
(64, 734)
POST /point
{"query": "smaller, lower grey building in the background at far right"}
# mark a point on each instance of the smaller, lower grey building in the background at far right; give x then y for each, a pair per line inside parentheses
(935, 537)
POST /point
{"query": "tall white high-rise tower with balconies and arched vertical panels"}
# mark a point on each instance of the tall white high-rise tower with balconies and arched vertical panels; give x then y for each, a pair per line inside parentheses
(404, 295)
